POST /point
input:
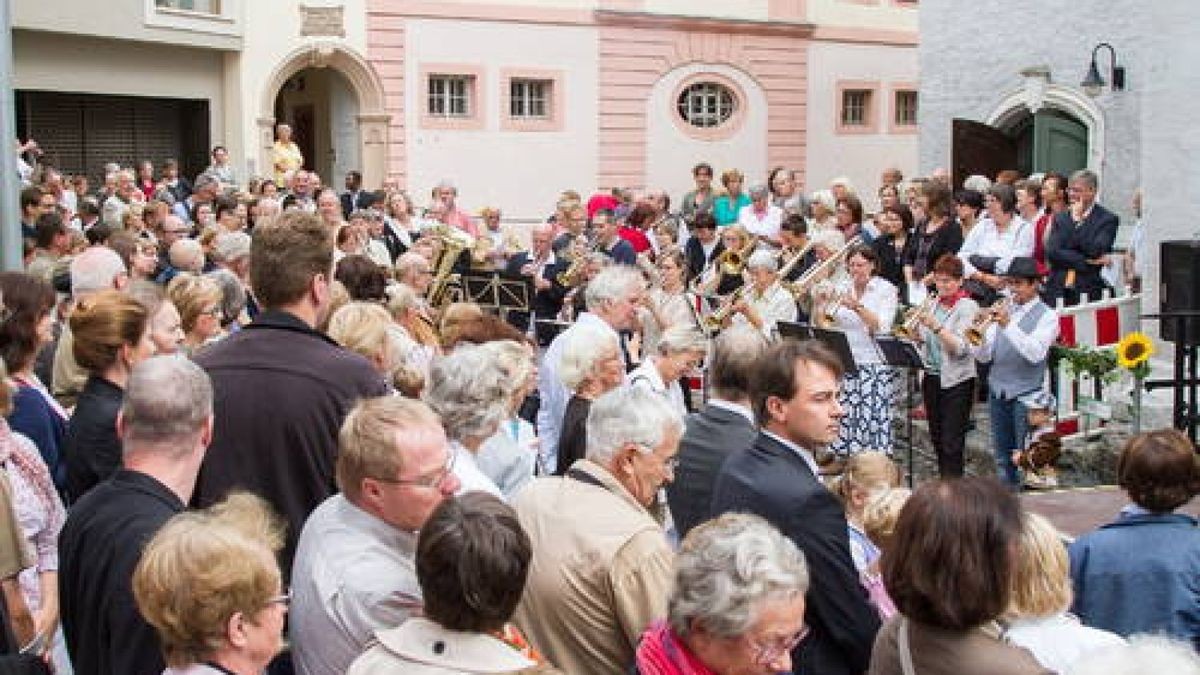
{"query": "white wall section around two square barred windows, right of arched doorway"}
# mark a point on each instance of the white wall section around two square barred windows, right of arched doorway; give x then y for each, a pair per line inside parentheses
(520, 172)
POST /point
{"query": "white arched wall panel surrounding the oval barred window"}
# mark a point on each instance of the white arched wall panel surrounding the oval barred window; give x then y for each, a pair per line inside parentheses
(671, 154)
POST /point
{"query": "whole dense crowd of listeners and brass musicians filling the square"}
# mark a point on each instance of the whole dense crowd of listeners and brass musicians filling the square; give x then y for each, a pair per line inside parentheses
(242, 417)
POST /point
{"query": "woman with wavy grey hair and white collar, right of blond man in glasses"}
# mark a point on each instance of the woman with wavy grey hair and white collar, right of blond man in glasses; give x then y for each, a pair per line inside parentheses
(470, 392)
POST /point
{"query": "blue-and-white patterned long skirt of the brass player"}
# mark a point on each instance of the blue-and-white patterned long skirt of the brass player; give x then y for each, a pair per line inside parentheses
(867, 401)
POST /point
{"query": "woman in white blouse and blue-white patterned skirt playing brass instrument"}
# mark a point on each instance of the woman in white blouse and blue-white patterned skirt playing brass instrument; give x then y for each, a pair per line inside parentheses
(867, 309)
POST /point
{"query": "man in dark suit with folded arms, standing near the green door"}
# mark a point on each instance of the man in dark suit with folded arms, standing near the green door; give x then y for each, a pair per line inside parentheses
(1081, 243)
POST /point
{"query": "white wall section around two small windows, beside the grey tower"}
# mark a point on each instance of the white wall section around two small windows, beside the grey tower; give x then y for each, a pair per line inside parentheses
(859, 157)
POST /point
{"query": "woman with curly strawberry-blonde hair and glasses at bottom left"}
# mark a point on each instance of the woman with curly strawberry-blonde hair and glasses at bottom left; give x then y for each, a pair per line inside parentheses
(211, 586)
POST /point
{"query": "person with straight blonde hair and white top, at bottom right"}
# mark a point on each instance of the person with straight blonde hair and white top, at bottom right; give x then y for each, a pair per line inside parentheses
(1037, 617)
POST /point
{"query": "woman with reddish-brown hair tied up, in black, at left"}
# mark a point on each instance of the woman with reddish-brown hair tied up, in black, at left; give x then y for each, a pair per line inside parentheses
(112, 334)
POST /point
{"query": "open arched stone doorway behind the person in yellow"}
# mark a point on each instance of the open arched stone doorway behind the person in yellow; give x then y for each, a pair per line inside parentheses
(334, 101)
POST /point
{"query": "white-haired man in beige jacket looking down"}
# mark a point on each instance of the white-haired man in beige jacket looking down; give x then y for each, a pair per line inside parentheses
(602, 566)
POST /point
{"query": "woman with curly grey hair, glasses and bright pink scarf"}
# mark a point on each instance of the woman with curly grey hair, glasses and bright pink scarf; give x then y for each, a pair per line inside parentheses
(737, 605)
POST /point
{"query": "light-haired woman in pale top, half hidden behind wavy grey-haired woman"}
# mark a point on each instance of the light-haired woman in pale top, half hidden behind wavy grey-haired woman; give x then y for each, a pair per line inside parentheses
(511, 456)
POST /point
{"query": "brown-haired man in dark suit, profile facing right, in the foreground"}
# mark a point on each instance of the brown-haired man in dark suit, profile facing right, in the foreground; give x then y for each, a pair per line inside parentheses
(795, 393)
